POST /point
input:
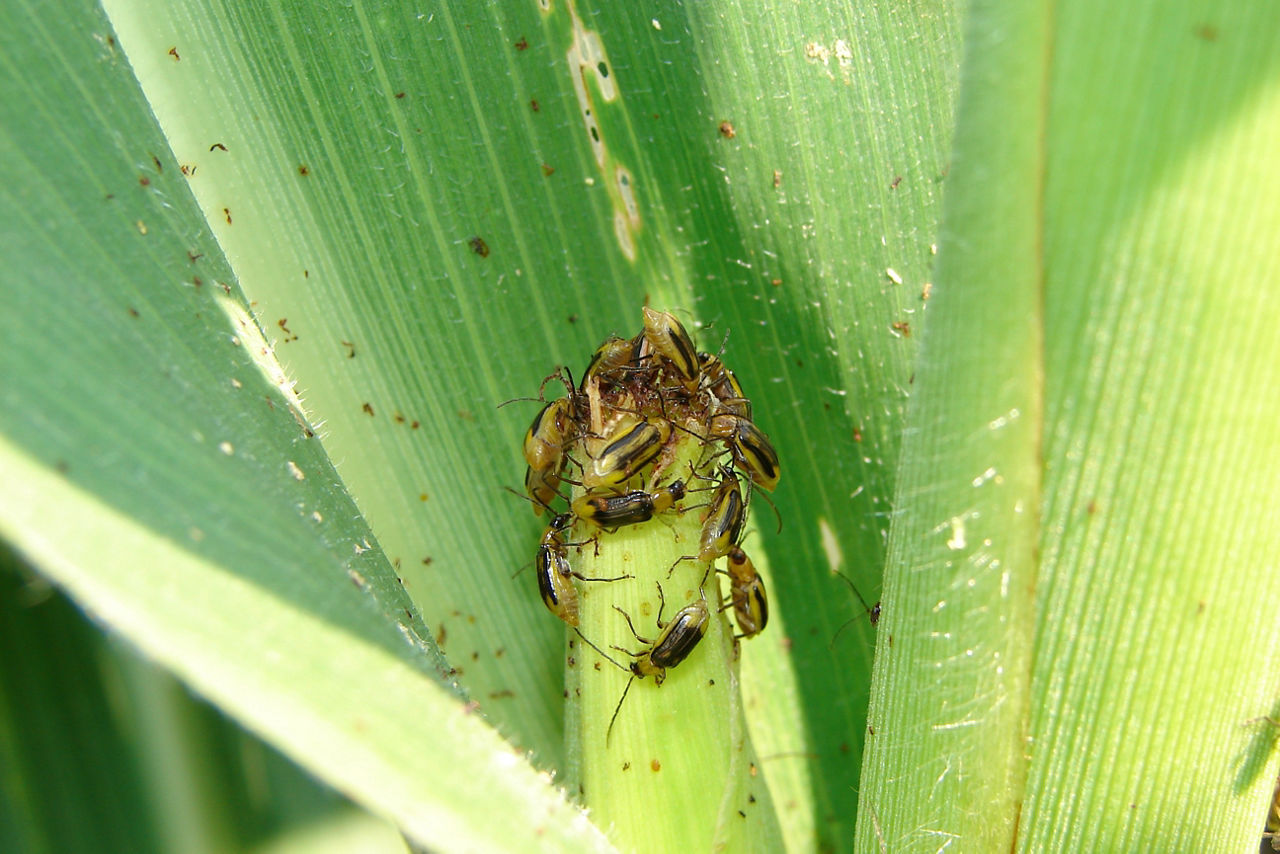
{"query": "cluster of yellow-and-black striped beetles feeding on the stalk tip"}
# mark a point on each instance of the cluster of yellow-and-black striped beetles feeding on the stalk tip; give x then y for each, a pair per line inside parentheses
(614, 437)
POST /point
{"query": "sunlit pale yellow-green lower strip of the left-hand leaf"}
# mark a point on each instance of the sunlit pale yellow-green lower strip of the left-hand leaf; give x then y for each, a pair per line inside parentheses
(358, 742)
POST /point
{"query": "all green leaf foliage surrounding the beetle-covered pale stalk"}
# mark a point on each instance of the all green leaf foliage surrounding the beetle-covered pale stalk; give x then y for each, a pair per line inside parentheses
(314, 535)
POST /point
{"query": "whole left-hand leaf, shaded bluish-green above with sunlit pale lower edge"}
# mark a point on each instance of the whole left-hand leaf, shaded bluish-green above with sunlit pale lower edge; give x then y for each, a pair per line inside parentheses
(159, 472)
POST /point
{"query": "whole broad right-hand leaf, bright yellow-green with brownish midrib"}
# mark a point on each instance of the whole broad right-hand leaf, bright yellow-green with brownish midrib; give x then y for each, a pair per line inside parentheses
(1094, 431)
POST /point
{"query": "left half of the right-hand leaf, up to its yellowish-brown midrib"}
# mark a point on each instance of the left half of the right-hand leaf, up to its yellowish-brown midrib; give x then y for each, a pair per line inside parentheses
(952, 684)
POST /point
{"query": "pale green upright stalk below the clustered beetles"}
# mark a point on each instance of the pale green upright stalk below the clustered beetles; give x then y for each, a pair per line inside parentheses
(679, 771)
